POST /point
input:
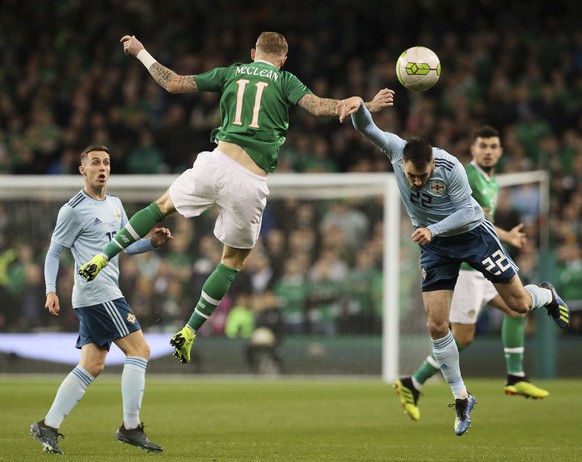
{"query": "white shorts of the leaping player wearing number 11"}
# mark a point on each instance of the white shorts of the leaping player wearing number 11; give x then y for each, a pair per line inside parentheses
(239, 195)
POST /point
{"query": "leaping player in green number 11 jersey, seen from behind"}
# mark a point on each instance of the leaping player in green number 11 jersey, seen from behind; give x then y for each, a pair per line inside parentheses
(254, 104)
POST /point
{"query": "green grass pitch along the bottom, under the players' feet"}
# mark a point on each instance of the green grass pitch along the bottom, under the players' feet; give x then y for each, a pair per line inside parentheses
(296, 420)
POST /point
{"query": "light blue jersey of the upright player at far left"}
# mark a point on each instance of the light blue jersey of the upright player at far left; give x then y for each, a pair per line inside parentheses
(85, 225)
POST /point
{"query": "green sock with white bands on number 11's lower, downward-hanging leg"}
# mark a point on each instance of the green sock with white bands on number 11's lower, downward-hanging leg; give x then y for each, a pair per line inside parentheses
(213, 291)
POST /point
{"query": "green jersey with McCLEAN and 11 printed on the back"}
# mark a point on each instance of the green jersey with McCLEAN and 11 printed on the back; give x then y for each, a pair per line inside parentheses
(254, 107)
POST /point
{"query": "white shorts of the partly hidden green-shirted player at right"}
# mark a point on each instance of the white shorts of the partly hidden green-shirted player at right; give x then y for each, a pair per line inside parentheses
(471, 293)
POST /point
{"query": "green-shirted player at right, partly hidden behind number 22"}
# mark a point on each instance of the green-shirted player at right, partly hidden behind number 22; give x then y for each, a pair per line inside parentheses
(473, 290)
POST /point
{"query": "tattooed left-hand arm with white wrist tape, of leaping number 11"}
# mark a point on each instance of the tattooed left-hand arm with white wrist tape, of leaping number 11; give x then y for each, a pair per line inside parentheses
(166, 78)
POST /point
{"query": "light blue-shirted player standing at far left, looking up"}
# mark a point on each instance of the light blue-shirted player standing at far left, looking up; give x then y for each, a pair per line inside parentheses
(85, 224)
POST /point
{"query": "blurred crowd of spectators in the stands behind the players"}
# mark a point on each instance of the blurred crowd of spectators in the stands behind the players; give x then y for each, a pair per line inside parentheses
(65, 83)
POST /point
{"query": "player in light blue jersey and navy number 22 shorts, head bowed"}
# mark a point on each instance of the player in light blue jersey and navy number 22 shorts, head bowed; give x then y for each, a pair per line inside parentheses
(450, 227)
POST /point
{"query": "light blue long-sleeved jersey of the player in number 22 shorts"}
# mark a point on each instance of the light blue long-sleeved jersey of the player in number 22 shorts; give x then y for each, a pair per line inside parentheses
(444, 205)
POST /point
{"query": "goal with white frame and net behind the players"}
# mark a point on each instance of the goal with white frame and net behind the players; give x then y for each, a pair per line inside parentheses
(332, 288)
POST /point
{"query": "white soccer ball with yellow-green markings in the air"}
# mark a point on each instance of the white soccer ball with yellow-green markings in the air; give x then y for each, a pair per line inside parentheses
(418, 68)
